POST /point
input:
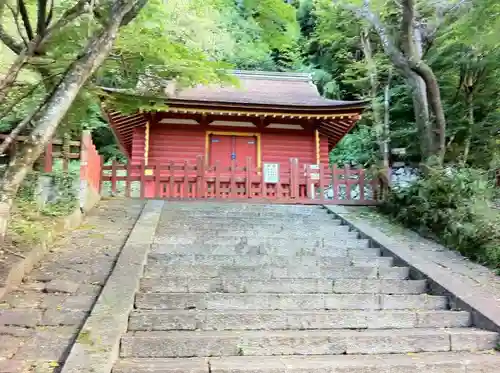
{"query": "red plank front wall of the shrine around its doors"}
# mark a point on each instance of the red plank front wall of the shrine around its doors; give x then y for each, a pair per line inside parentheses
(168, 142)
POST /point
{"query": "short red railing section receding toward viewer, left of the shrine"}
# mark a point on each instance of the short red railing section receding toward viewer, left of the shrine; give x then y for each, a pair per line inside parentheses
(90, 163)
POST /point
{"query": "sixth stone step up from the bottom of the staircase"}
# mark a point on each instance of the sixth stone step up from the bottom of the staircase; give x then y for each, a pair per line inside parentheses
(158, 269)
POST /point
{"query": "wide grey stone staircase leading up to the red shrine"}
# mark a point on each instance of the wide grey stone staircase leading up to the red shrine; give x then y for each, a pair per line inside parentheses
(256, 288)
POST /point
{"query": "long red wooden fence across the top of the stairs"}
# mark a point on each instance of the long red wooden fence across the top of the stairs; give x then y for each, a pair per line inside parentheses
(197, 181)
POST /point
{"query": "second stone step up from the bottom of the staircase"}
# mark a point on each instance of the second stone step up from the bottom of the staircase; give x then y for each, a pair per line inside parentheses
(311, 342)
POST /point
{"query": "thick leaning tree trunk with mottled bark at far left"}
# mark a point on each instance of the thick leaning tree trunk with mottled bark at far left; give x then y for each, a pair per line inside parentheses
(49, 116)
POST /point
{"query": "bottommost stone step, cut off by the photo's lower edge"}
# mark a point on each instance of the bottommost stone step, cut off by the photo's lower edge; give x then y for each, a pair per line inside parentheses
(441, 362)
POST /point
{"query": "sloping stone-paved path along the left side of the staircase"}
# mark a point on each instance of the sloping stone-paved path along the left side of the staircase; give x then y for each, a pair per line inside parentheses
(39, 321)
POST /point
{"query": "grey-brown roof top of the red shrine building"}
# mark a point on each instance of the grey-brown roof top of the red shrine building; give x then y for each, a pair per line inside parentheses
(261, 88)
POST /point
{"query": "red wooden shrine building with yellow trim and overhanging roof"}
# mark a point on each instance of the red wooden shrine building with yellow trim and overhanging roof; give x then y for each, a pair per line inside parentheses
(269, 118)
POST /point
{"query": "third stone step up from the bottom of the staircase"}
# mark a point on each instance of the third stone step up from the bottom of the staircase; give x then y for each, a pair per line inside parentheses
(300, 320)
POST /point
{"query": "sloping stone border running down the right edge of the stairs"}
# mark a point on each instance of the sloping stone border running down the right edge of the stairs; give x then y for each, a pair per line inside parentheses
(463, 295)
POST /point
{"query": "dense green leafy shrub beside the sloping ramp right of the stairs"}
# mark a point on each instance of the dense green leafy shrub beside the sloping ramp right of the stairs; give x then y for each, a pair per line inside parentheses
(453, 206)
